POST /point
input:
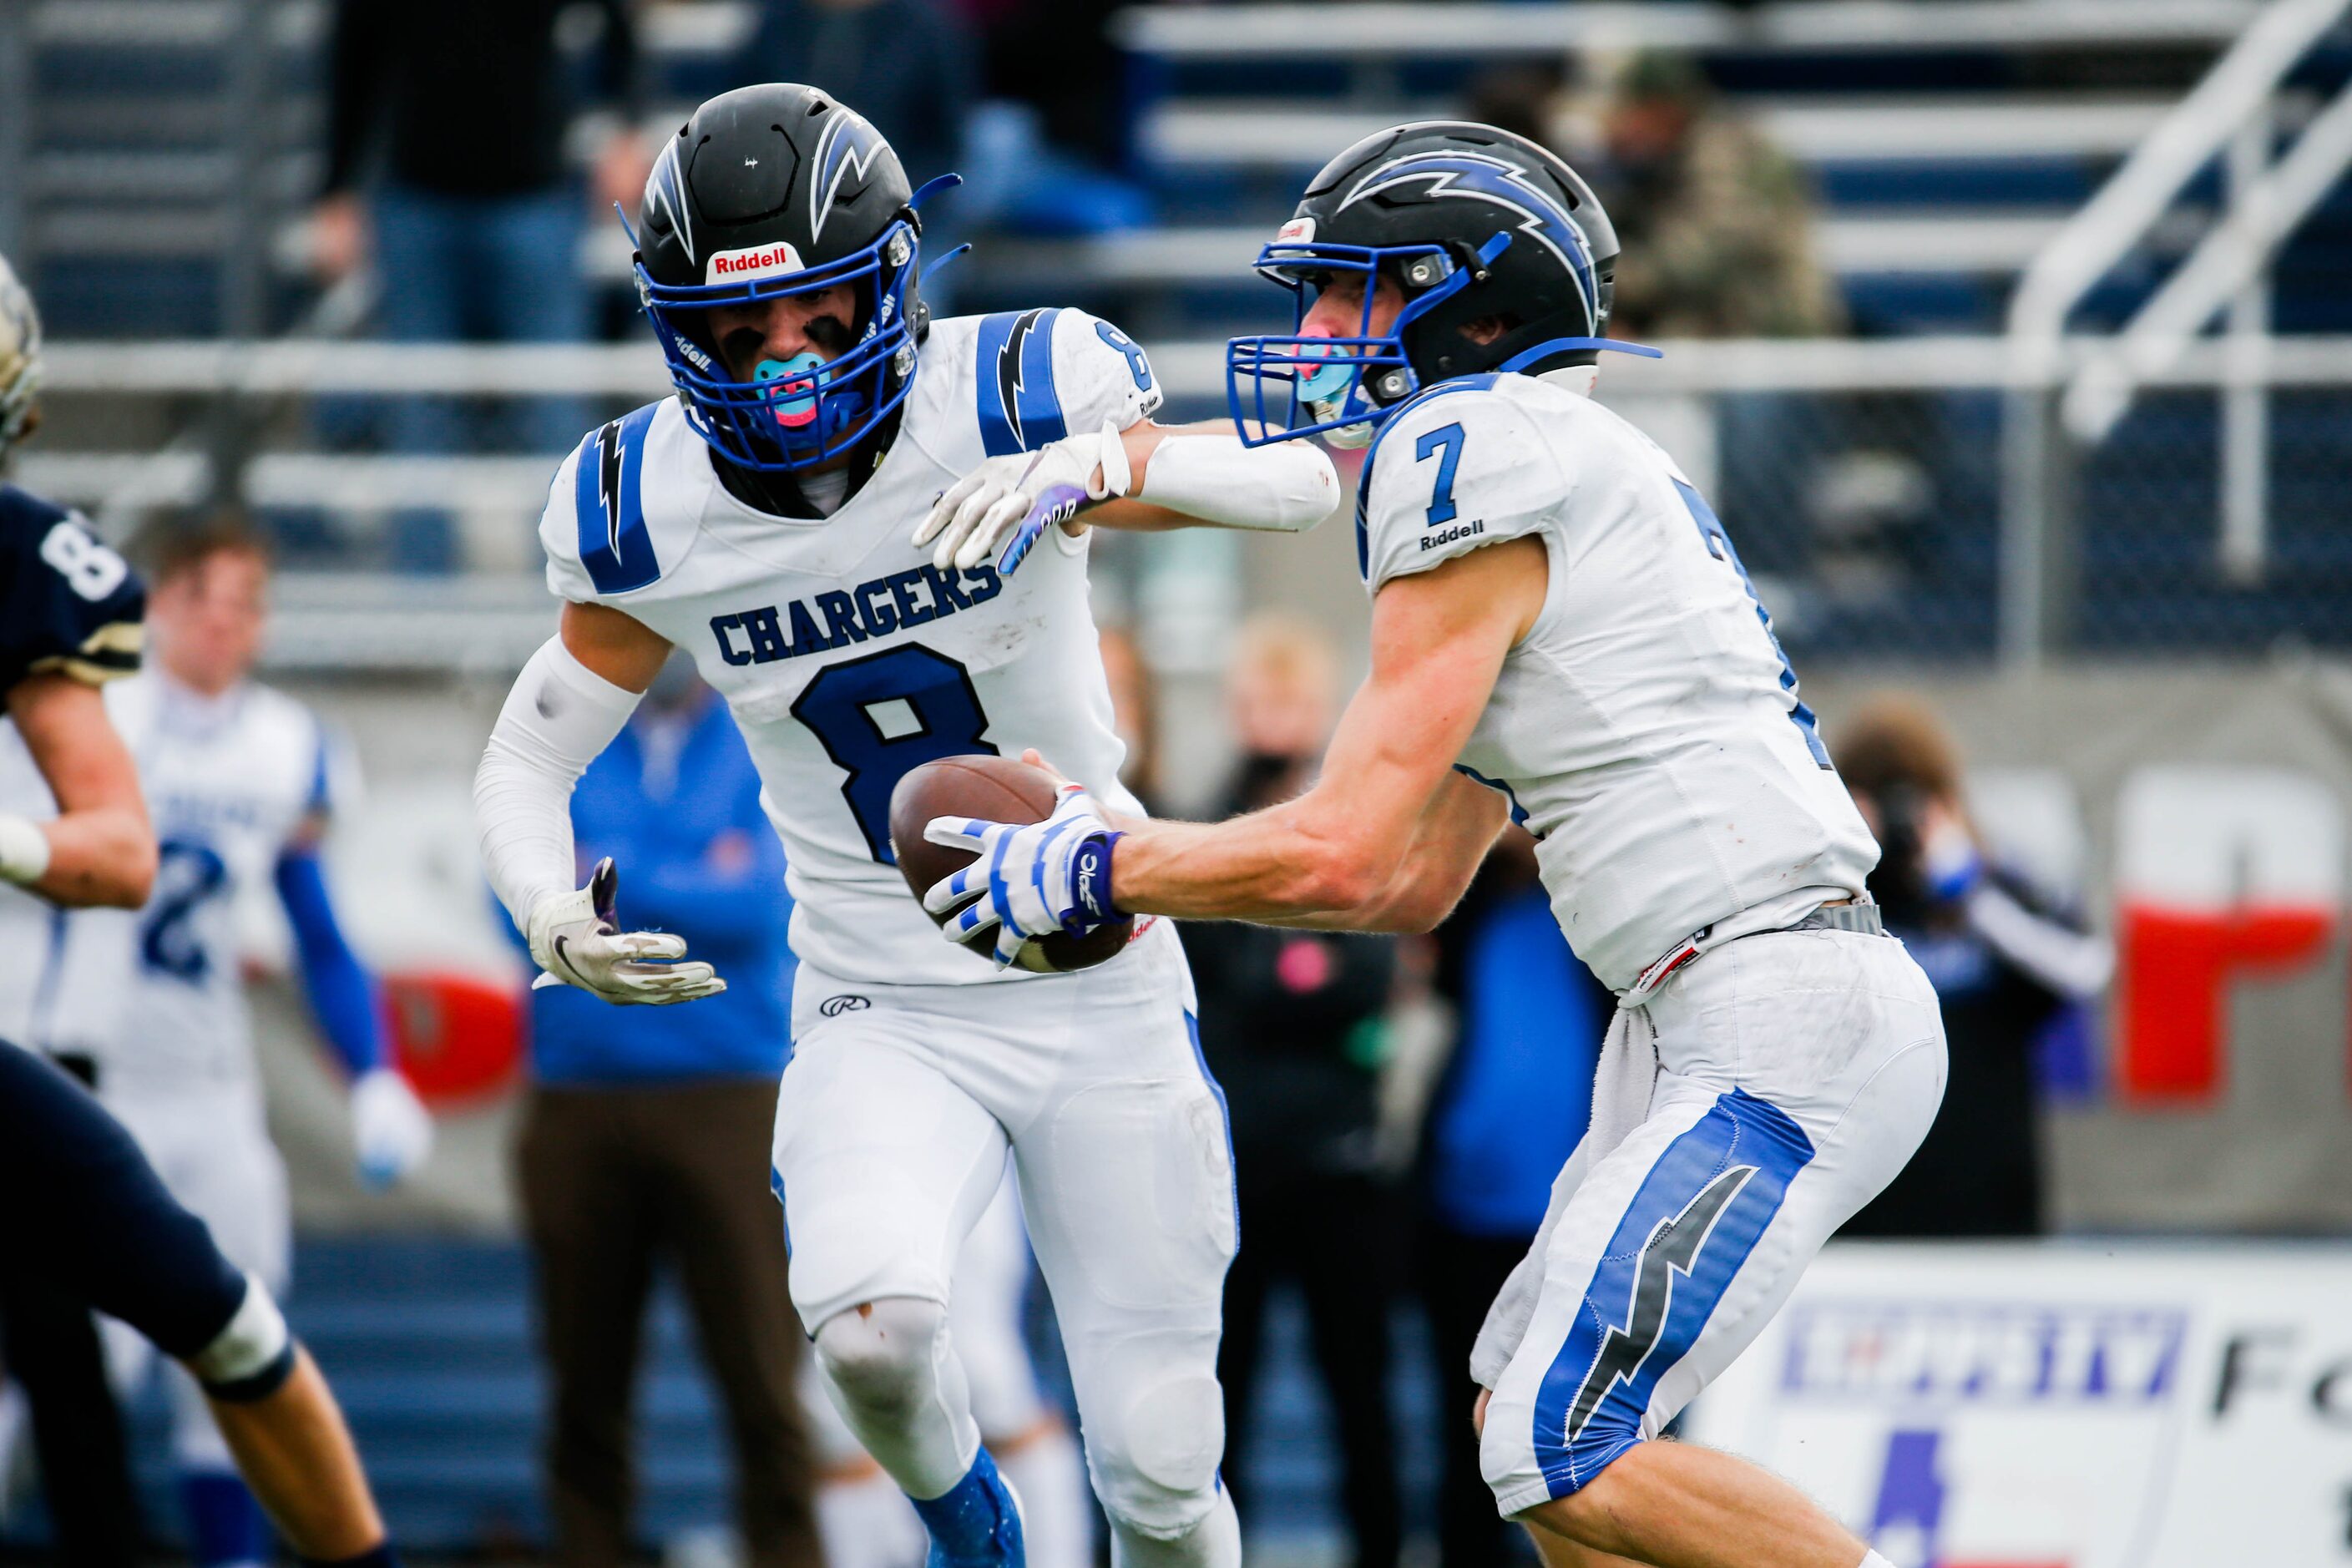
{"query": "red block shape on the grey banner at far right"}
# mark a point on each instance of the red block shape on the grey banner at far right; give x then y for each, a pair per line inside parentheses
(2177, 972)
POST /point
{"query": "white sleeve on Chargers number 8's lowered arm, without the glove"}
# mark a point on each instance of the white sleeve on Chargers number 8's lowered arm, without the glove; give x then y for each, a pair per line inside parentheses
(554, 725)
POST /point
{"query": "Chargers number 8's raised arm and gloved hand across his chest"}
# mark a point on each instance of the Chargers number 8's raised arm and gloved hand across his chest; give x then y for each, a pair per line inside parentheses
(1144, 478)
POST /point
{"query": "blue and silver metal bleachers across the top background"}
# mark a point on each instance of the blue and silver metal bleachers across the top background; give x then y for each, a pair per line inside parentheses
(1944, 161)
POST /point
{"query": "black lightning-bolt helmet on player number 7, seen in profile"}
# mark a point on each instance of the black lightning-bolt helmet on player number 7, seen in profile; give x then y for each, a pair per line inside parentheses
(1471, 222)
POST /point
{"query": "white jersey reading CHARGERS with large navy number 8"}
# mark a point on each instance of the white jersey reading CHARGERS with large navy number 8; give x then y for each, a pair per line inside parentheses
(846, 657)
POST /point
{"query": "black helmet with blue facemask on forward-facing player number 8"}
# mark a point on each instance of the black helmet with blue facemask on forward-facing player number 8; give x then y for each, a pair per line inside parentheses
(782, 189)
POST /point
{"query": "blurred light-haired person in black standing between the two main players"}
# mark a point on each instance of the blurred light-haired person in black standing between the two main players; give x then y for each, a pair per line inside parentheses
(1295, 1028)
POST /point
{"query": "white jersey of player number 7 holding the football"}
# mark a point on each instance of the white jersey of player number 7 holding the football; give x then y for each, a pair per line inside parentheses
(1648, 730)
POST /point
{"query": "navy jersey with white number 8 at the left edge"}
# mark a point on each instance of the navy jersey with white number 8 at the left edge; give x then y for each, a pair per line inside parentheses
(67, 603)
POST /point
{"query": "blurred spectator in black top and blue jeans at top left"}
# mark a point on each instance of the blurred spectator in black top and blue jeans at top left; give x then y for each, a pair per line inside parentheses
(457, 116)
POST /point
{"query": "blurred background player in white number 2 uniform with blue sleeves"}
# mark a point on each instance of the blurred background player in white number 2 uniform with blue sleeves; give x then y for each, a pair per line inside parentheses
(241, 784)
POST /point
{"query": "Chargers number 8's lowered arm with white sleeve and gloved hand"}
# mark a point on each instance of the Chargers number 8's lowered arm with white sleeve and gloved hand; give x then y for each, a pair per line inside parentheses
(566, 709)
